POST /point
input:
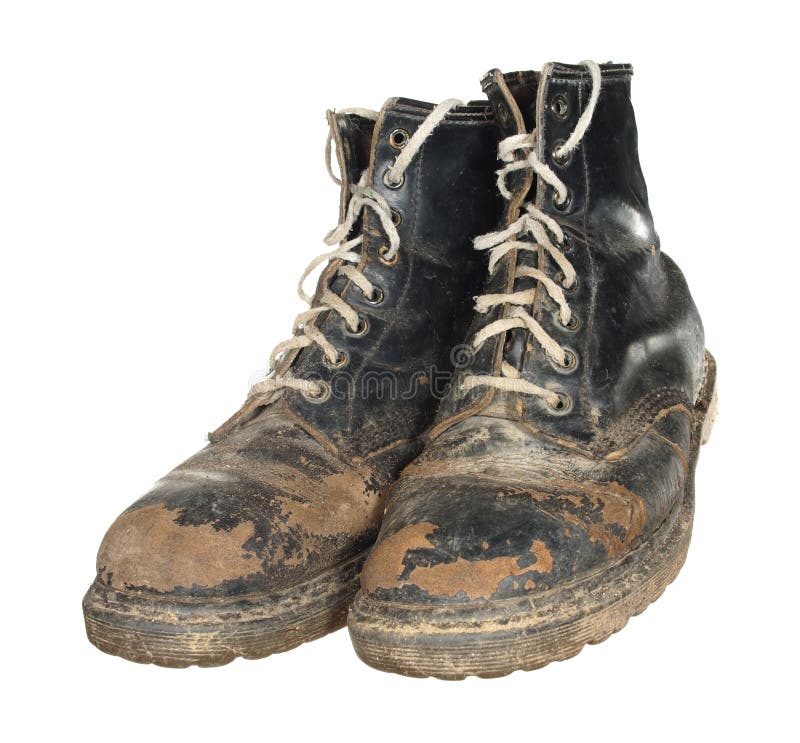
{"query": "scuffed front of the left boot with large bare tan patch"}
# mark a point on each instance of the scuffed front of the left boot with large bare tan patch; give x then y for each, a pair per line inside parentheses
(265, 510)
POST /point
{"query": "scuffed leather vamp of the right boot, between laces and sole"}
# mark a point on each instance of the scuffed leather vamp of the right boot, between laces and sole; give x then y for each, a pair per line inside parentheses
(493, 511)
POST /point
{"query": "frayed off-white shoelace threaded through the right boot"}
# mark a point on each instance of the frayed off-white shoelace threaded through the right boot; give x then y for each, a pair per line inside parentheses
(540, 227)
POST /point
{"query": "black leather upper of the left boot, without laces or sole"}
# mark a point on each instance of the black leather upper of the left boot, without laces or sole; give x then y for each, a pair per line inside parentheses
(291, 489)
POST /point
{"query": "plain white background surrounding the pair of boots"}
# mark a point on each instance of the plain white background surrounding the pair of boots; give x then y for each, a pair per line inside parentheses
(161, 189)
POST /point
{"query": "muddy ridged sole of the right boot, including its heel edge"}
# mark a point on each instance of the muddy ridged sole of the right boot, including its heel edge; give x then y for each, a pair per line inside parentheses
(499, 637)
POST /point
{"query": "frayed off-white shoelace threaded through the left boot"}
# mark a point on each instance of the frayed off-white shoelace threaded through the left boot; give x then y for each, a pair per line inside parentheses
(305, 333)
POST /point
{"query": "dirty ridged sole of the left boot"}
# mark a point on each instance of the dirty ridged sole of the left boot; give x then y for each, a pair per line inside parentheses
(207, 632)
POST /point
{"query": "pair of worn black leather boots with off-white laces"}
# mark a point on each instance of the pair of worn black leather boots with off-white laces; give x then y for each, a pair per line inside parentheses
(481, 438)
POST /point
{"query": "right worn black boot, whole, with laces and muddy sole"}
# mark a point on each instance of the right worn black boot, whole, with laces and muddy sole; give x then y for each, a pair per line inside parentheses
(554, 498)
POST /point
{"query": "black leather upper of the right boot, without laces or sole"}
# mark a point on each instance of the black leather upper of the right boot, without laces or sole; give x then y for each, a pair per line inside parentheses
(509, 499)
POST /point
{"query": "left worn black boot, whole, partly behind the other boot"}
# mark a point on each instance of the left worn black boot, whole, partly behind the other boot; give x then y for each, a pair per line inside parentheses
(254, 545)
